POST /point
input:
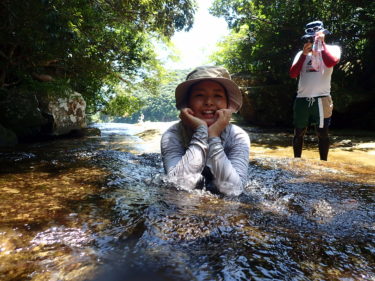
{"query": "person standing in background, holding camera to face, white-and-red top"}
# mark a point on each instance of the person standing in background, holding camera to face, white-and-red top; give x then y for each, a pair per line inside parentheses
(313, 104)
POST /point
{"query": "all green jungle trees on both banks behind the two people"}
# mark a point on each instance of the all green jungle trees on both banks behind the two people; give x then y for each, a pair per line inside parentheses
(105, 50)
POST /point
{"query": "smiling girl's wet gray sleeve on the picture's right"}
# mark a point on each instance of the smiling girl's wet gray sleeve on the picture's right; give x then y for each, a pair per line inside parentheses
(229, 169)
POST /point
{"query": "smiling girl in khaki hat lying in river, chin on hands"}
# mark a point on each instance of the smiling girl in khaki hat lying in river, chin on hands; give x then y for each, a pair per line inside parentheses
(204, 149)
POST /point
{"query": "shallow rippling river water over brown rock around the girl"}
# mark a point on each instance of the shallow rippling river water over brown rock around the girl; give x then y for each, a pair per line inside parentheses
(96, 208)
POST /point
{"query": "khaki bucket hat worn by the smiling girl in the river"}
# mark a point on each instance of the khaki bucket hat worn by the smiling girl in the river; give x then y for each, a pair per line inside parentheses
(214, 73)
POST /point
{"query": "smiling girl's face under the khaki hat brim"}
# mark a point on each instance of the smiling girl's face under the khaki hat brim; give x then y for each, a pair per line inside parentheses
(206, 97)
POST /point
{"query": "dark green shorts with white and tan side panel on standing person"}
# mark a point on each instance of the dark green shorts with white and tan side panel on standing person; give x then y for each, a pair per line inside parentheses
(312, 111)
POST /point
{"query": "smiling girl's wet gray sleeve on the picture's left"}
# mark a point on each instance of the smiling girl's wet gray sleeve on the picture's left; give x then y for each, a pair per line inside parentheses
(184, 167)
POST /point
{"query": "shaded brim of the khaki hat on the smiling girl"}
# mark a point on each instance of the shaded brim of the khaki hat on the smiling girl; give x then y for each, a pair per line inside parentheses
(232, 90)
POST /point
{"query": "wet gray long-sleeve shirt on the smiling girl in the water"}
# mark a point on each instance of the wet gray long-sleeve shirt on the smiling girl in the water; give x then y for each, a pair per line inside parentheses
(227, 157)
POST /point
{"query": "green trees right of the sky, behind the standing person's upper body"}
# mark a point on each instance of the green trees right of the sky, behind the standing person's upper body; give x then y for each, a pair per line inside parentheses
(267, 34)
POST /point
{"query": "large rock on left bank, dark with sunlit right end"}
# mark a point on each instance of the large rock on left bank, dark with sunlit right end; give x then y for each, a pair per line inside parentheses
(26, 117)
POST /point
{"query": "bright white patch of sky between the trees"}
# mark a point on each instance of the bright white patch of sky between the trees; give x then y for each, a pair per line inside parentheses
(199, 42)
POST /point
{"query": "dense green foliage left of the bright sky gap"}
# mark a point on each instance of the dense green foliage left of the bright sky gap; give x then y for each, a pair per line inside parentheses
(87, 46)
